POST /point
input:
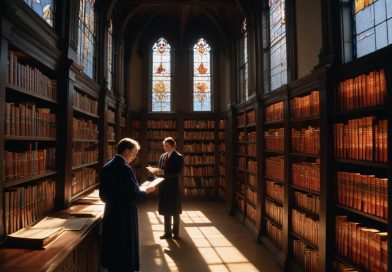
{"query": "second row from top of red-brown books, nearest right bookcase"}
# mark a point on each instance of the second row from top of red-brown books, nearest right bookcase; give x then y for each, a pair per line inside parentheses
(362, 139)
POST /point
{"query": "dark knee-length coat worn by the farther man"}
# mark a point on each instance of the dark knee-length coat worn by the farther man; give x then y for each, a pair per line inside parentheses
(169, 189)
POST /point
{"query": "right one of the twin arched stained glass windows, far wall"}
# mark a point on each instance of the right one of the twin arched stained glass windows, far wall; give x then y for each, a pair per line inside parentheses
(201, 76)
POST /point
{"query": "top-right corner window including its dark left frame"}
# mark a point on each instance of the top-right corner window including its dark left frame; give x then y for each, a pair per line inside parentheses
(371, 30)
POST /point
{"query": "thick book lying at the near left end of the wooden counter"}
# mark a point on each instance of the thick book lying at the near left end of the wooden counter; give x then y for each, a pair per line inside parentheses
(34, 237)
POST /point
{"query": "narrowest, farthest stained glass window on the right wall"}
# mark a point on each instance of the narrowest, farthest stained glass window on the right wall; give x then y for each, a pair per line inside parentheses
(243, 70)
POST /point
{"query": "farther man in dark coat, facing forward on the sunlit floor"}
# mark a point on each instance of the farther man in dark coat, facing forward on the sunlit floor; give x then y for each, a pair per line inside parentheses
(170, 166)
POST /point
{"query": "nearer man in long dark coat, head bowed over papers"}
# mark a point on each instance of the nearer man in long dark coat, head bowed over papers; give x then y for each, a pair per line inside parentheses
(120, 191)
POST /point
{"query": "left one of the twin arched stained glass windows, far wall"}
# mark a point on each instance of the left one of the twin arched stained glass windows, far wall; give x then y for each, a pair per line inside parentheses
(161, 76)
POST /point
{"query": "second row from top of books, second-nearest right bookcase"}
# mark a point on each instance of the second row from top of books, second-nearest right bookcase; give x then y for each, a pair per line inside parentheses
(306, 140)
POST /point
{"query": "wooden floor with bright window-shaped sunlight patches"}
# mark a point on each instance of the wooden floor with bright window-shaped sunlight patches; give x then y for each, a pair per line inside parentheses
(210, 241)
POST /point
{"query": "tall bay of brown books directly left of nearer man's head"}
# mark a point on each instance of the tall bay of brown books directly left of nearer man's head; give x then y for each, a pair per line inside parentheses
(85, 143)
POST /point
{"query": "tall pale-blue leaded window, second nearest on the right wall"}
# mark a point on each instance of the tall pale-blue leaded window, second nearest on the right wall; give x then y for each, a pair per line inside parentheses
(277, 52)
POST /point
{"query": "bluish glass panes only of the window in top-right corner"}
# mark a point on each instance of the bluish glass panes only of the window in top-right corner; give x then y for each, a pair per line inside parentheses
(372, 25)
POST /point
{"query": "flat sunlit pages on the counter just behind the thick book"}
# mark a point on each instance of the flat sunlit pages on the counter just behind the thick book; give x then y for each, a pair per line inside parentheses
(67, 224)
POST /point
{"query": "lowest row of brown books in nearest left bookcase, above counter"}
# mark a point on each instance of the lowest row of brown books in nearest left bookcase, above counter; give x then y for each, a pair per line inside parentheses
(25, 205)
